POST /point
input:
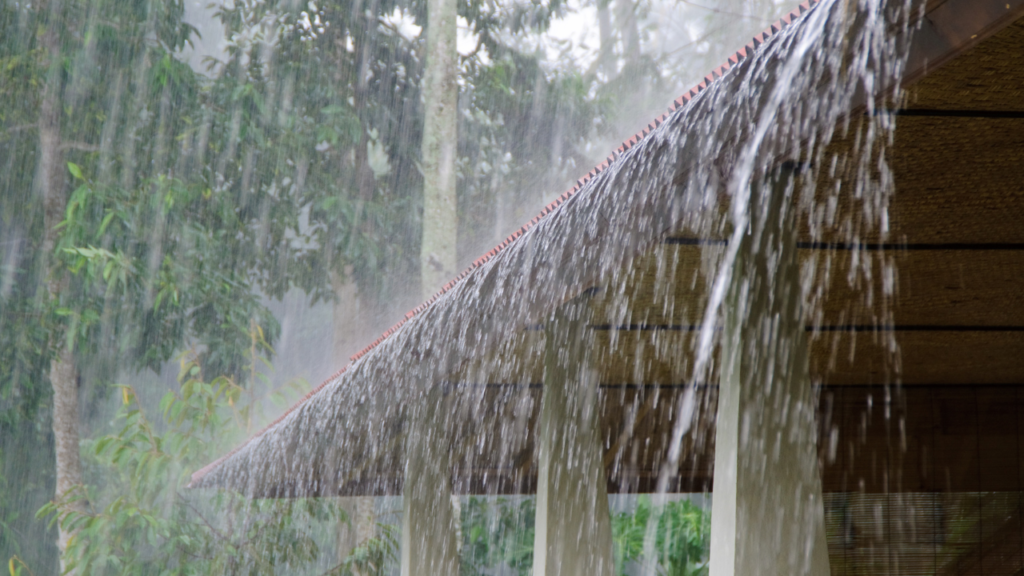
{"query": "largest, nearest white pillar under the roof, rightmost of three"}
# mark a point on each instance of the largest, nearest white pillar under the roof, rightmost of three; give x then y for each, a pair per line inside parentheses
(767, 512)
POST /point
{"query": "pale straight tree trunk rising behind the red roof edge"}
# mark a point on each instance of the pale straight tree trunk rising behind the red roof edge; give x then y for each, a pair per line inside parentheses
(441, 94)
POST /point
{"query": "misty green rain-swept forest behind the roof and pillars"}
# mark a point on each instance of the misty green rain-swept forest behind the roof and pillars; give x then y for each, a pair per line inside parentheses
(187, 189)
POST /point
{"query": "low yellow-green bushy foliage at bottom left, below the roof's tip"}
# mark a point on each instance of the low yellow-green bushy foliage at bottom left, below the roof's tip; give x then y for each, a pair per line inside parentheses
(141, 519)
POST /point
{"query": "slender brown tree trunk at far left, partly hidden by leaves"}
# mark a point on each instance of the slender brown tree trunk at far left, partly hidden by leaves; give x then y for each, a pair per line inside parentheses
(51, 180)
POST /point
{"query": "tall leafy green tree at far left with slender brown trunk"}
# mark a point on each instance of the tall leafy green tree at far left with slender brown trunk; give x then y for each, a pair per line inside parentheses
(119, 273)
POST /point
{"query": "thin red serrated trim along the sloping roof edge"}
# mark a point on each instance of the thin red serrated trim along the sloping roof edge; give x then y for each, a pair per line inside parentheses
(630, 143)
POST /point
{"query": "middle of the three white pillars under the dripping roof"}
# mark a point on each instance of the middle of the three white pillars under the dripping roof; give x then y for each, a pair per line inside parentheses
(574, 526)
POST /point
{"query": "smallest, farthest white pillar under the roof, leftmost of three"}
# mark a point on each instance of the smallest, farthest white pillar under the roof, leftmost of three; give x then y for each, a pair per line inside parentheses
(430, 546)
